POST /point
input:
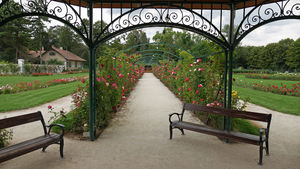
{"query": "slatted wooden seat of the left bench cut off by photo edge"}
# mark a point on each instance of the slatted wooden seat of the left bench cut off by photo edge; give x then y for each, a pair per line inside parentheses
(27, 146)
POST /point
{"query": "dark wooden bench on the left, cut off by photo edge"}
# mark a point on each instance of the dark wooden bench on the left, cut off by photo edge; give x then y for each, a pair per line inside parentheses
(41, 142)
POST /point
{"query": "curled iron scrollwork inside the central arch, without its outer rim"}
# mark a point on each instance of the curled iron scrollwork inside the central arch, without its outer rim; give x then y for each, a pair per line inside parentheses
(150, 15)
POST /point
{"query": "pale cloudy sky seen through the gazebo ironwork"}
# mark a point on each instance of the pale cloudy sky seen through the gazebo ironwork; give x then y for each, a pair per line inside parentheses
(269, 33)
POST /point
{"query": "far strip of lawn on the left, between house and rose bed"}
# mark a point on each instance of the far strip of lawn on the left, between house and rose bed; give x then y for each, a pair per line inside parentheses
(11, 80)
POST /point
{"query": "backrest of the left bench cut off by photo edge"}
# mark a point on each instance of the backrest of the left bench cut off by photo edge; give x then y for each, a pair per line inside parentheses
(22, 119)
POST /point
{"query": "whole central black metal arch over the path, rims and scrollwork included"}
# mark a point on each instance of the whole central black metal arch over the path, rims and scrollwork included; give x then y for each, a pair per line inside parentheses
(123, 24)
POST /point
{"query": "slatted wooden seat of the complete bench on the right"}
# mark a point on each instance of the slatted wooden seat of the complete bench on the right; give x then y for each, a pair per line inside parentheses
(248, 138)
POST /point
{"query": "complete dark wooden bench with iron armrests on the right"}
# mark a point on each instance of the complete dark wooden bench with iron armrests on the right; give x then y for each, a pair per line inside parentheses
(236, 136)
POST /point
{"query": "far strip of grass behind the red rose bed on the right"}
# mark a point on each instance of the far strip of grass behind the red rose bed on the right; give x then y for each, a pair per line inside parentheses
(240, 79)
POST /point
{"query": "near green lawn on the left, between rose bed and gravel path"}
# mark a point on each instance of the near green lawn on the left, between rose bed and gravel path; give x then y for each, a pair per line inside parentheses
(27, 99)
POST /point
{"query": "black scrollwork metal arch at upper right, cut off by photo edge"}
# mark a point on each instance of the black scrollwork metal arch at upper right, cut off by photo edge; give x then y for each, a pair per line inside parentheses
(263, 14)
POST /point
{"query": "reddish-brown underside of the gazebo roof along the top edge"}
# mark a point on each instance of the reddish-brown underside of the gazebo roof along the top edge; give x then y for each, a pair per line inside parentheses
(190, 4)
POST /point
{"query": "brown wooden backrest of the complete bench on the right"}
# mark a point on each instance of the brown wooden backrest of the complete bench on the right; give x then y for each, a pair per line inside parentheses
(227, 112)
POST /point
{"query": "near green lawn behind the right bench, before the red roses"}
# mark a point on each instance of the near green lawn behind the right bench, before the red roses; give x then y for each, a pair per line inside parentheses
(281, 103)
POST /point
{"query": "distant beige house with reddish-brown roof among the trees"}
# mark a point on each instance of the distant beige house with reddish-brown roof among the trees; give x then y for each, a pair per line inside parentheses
(70, 60)
